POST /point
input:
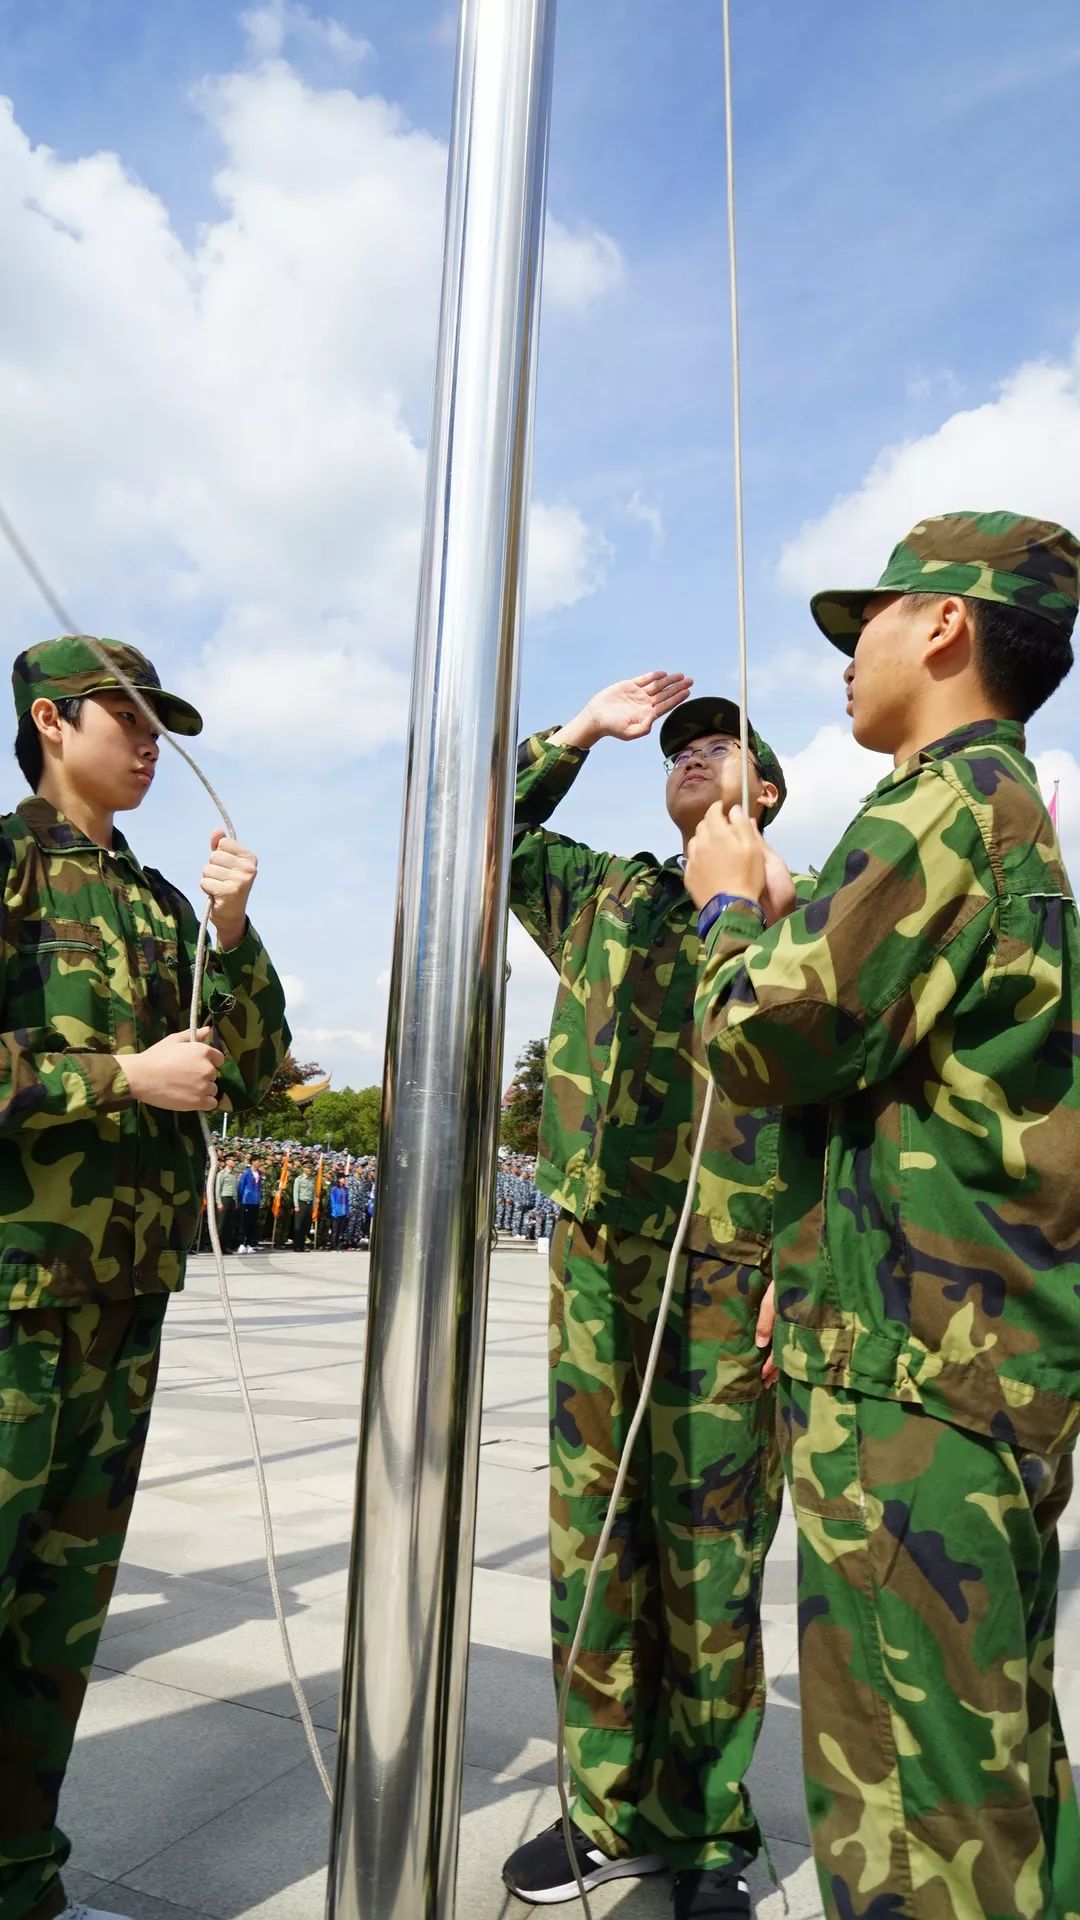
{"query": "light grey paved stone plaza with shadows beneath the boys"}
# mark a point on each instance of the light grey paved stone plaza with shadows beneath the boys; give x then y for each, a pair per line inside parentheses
(191, 1790)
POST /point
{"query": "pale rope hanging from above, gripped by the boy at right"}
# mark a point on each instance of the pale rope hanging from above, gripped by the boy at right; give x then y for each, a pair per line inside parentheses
(675, 1257)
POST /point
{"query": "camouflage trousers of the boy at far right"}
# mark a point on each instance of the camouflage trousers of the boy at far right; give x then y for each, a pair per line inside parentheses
(939, 1785)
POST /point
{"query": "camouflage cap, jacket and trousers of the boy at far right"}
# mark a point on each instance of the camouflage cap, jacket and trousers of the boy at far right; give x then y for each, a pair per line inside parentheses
(918, 1024)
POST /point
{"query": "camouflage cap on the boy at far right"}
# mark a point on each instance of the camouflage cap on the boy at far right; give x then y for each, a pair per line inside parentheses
(983, 556)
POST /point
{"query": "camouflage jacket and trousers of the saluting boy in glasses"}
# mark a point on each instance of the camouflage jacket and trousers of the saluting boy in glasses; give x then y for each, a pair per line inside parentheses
(670, 1692)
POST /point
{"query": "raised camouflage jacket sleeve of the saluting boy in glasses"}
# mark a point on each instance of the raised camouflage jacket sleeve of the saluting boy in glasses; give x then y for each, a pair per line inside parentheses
(551, 876)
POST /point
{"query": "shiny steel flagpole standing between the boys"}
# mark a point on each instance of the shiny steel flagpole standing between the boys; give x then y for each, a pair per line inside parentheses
(399, 1787)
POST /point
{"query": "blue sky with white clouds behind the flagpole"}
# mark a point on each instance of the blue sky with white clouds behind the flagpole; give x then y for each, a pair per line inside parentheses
(216, 364)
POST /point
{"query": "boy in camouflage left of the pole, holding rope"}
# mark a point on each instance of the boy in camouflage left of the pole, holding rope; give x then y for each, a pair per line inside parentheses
(101, 1186)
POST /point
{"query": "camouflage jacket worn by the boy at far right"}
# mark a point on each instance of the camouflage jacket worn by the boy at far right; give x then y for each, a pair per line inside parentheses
(918, 1024)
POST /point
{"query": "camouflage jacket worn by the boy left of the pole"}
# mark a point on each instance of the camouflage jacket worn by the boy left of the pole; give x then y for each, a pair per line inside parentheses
(101, 1197)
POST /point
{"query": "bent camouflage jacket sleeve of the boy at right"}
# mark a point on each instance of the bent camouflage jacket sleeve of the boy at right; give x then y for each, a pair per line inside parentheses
(837, 994)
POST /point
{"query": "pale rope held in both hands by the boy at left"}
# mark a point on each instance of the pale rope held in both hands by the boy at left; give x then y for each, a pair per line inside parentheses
(72, 627)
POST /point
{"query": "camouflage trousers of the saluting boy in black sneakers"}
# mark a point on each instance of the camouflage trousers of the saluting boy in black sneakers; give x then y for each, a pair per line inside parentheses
(670, 1691)
